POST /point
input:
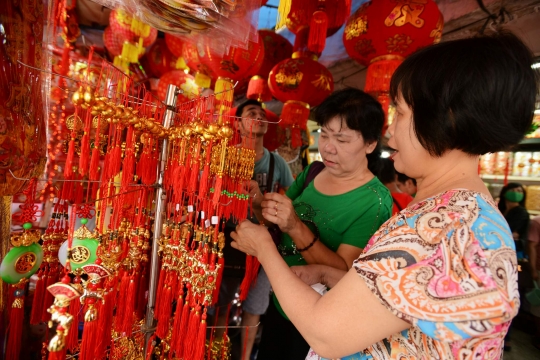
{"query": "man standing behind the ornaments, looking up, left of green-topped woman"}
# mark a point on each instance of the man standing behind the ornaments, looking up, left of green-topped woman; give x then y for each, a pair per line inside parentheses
(271, 174)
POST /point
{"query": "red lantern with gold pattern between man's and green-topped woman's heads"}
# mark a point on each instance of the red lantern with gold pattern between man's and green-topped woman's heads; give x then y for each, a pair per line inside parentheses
(299, 82)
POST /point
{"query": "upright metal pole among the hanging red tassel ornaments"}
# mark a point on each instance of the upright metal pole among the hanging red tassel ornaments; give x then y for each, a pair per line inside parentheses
(149, 328)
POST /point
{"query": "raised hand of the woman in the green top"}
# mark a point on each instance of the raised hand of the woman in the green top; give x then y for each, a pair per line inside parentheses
(279, 210)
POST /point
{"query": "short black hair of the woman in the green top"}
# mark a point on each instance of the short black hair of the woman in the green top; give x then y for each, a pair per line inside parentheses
(361, 112)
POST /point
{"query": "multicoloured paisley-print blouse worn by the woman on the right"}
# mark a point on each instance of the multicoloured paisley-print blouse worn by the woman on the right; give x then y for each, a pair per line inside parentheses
(448, 266)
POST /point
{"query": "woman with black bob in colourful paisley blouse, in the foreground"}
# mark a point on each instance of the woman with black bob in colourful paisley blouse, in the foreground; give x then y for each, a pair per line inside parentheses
(439, 279)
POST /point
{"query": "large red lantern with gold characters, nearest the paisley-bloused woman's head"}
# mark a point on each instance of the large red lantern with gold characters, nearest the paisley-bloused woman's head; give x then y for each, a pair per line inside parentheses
(380, 34)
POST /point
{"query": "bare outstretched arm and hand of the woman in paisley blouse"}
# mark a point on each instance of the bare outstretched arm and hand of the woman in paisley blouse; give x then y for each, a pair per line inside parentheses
(349, 306)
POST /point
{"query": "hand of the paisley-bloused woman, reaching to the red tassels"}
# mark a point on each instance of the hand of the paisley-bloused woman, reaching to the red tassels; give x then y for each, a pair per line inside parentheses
(251, 239)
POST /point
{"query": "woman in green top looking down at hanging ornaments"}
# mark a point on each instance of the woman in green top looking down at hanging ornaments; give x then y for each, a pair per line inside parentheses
(330, 220)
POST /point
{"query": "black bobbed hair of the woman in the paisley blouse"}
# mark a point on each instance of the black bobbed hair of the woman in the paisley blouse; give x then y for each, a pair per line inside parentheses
(476, 95)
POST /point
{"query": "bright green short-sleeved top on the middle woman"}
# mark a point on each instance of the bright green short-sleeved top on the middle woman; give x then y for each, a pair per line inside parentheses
(350, 218)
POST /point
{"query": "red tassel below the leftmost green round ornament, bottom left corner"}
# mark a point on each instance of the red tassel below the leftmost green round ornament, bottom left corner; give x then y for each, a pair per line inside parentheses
(16, 317)
